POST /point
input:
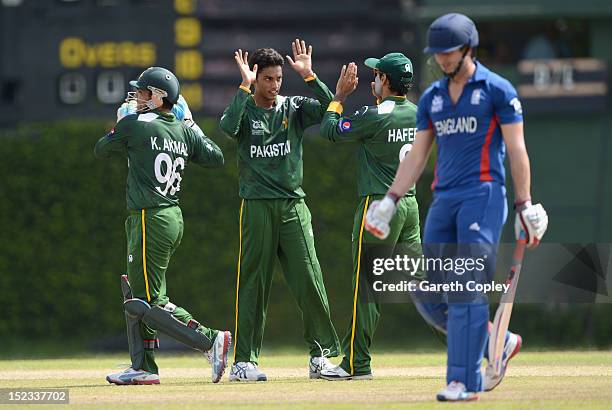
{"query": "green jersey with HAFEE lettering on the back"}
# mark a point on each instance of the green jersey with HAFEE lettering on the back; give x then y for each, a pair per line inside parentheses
(385, 133)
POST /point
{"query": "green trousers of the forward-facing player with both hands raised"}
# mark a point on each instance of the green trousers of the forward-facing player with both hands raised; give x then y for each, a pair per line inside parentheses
(270, 229)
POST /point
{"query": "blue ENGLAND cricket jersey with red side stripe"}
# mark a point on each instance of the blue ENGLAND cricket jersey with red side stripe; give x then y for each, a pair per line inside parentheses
(470, 146)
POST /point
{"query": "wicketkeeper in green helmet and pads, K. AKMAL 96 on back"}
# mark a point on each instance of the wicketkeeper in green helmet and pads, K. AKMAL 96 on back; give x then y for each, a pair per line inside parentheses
(158, 147)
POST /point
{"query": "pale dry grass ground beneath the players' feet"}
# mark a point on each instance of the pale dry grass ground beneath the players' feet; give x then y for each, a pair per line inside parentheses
(559, 380)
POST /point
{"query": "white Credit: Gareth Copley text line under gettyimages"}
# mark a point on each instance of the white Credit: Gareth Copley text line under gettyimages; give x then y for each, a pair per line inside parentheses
(426, 286)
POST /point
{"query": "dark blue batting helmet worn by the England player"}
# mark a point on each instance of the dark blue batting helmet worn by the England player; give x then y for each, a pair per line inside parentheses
(451, 32)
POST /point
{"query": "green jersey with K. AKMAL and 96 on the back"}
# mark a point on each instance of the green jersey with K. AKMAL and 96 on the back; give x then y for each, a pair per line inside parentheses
(158, 147)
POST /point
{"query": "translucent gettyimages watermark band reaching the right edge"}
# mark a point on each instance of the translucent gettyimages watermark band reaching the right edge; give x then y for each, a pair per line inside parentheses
(552, 273)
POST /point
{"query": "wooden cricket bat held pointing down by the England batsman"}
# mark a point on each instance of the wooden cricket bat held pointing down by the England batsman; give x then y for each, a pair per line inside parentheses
(502, 315)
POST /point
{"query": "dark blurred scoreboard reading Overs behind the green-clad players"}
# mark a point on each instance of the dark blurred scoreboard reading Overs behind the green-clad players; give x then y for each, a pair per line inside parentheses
(72, 59)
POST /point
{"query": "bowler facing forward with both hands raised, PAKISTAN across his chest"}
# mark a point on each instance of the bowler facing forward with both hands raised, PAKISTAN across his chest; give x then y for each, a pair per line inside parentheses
(274, 219)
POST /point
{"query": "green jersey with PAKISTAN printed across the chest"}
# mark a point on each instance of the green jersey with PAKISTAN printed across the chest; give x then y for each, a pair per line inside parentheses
(270, 140)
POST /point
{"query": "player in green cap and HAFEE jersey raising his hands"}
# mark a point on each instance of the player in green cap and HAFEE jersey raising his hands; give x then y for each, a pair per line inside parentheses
(384, 134)
